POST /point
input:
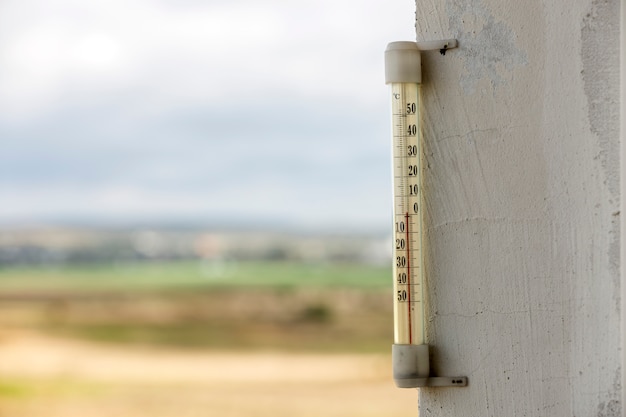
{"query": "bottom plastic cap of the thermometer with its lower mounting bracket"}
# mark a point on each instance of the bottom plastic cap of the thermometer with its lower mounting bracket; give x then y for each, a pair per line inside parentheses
(411, 369)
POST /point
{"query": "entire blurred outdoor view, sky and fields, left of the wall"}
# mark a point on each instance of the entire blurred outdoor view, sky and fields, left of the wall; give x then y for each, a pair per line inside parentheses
(194, 208)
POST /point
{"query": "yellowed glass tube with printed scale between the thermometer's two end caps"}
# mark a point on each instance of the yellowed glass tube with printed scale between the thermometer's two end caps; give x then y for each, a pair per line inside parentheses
(407, 215)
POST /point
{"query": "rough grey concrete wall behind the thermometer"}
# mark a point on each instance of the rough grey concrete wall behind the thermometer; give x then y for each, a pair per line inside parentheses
(521, 128)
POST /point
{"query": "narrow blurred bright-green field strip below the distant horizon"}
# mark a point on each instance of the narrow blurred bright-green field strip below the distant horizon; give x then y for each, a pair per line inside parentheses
(192, 274)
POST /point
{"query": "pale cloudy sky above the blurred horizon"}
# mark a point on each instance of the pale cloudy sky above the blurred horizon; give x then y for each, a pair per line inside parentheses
(239, 111)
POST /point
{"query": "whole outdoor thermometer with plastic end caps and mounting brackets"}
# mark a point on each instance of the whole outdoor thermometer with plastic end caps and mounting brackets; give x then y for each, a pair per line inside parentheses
(410, 350)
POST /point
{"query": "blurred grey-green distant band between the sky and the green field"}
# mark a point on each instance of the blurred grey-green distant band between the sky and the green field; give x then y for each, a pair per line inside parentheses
(83, 245)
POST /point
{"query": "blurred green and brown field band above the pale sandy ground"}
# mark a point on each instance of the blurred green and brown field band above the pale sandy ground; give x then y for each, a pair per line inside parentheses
(205, 305)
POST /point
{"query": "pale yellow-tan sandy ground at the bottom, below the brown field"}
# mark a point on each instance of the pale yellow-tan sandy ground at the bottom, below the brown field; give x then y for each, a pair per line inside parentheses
(43, 376)
